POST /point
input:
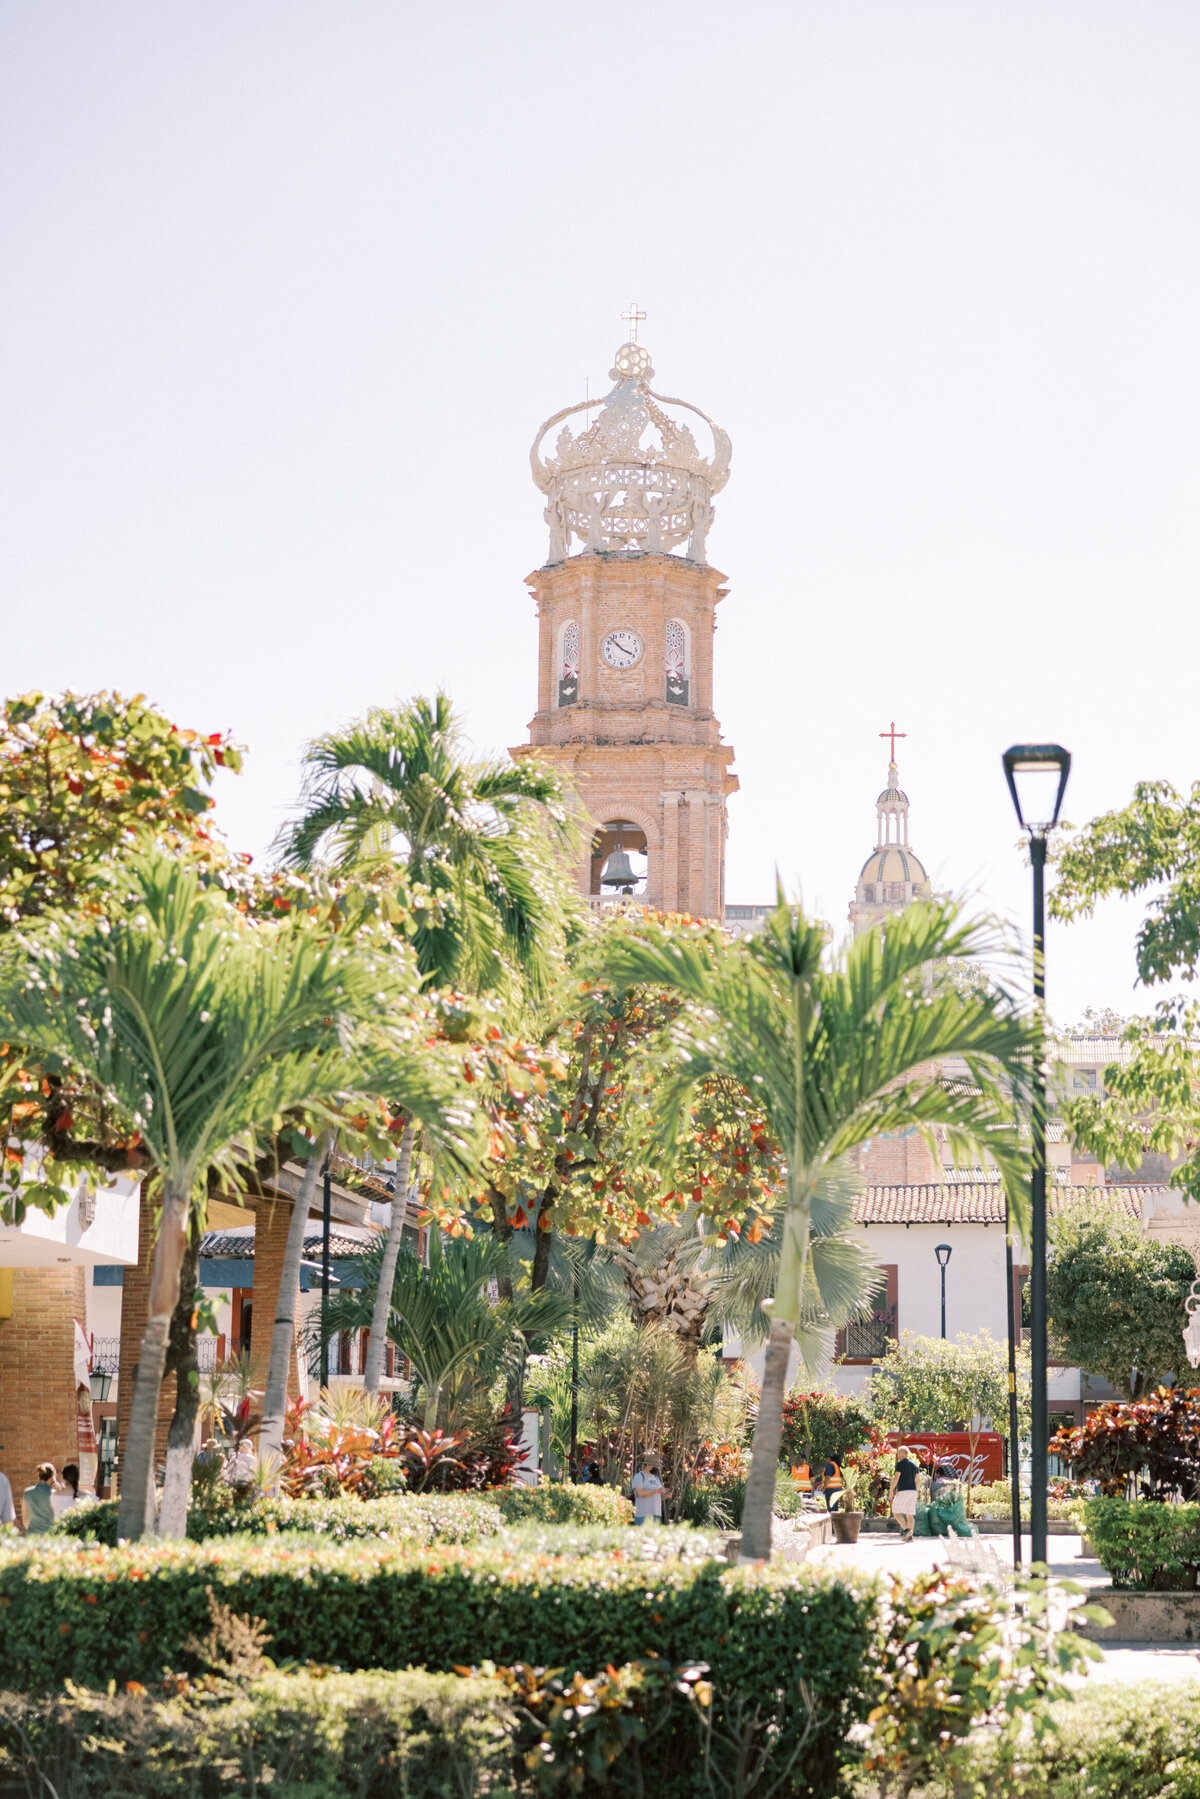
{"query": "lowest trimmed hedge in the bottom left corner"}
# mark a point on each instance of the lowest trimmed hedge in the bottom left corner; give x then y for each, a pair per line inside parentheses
(343, 1737)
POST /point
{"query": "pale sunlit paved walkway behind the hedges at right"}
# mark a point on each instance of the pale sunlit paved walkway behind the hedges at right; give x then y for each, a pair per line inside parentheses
(882, 1553)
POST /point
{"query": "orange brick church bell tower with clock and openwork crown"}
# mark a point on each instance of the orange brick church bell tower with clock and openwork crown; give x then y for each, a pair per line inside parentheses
(627, 611)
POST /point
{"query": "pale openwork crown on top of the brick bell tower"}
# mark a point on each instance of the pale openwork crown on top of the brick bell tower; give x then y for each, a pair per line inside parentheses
(618, 494)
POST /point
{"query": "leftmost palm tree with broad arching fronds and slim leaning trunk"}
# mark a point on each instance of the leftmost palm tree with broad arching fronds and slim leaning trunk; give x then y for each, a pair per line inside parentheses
(204, 1032)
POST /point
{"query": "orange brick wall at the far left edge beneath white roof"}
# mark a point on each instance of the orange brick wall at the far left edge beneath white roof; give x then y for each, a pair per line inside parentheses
(39, 1372)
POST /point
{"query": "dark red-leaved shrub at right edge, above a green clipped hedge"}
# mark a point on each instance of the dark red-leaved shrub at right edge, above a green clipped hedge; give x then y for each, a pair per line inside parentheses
(1158, 1435)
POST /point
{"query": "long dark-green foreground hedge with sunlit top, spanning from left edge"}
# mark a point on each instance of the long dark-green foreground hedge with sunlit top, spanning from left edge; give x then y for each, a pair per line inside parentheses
(776, 1640)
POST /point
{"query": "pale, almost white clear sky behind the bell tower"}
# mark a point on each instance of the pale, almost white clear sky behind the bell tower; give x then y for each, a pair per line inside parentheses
(287, 291)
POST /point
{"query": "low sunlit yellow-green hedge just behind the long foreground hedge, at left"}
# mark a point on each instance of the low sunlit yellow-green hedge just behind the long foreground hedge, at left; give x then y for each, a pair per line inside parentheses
(415, 1519)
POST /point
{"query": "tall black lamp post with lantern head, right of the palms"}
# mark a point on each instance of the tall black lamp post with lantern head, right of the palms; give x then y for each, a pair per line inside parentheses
(1037, 780)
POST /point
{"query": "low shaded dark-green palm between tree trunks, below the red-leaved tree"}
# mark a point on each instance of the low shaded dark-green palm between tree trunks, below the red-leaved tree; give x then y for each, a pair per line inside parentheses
(445, 1321)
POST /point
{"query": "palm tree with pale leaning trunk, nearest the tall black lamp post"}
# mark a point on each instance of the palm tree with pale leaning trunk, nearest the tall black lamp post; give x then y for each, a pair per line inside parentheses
(837, 1048)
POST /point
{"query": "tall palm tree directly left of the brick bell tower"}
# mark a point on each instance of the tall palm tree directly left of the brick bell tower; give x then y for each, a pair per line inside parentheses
(474, 834)
